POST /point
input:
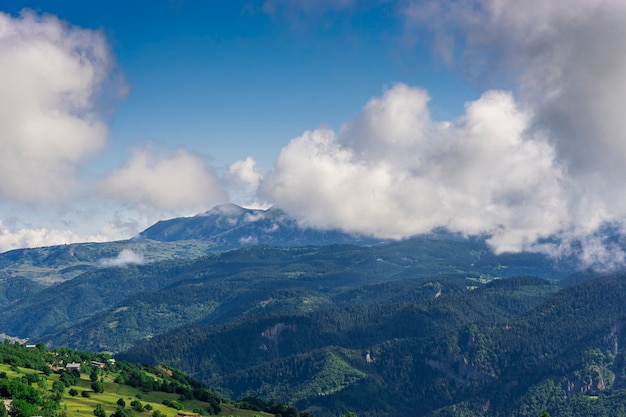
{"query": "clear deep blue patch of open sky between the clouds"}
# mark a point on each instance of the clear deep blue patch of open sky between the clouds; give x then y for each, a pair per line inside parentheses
(227, 80)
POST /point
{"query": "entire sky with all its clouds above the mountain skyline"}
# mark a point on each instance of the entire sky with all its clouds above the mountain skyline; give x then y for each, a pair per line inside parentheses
(493, 118)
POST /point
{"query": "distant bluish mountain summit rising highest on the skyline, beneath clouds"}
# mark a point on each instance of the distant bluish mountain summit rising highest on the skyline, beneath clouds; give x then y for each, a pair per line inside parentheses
(230, 226)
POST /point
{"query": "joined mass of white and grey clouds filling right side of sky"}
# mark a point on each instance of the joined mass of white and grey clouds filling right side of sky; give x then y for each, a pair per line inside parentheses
(535, 163)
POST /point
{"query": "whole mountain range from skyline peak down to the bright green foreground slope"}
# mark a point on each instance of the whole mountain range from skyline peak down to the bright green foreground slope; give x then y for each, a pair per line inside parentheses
(255, 305)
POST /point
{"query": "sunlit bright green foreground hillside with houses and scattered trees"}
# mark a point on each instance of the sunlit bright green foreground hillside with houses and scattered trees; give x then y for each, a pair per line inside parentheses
(35, 381)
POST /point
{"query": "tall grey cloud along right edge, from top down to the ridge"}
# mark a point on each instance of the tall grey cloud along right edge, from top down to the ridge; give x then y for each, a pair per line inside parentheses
(567, 62)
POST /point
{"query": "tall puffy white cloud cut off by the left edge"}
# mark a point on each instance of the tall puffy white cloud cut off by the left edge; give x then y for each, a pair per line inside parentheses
(51, 75)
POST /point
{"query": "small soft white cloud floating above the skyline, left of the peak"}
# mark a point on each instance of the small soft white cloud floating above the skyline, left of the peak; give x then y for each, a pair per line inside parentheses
(159, 179)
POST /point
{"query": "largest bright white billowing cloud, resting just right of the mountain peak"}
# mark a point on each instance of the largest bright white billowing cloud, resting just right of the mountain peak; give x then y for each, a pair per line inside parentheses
(394, 173)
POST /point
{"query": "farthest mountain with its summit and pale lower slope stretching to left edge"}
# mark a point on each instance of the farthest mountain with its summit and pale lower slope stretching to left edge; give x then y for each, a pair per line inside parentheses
(222, 228)
